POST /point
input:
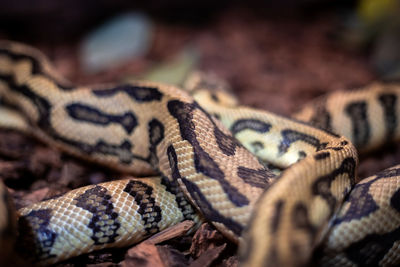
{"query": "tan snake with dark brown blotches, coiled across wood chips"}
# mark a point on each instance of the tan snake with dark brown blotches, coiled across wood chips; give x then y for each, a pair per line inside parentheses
(285, 189)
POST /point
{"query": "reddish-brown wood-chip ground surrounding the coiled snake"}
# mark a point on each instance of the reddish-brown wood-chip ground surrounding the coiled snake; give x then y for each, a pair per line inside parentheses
(273, 64)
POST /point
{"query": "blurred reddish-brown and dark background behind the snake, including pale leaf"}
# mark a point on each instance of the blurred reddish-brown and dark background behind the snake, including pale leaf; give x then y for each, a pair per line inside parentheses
(287, 52)
